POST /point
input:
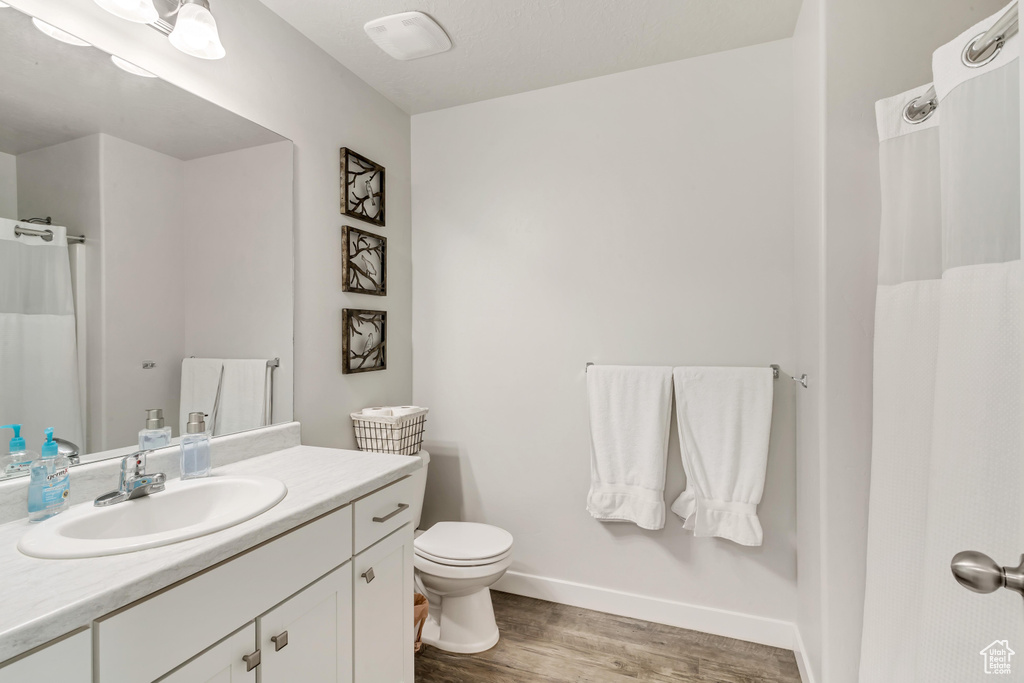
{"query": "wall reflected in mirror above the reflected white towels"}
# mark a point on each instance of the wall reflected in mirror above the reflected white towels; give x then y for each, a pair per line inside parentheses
(238, 277)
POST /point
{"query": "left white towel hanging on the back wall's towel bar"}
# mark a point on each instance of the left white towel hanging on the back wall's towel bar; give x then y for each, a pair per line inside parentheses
(630, 417)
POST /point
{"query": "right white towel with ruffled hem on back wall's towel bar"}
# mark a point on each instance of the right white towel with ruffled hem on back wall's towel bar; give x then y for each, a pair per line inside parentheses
(724, 417)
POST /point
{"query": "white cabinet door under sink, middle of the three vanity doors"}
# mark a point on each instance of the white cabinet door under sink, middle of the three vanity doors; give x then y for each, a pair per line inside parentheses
(309, 637)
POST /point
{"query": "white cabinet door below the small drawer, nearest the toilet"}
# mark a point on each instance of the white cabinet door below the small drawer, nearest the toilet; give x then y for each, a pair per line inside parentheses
(383, 597)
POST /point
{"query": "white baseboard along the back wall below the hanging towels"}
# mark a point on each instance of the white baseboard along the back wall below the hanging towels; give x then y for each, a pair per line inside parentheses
(696, 618)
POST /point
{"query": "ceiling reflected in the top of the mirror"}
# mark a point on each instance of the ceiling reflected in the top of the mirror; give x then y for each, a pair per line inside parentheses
(52, 93)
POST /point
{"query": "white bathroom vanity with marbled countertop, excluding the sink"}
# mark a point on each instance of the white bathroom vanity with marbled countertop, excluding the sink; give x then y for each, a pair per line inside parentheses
(318, 588)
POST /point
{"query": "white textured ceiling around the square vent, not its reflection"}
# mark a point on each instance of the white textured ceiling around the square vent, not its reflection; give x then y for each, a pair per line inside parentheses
(508, 47)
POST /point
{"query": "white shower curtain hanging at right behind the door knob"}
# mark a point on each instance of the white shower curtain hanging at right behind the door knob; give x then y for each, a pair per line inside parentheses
(947, 464)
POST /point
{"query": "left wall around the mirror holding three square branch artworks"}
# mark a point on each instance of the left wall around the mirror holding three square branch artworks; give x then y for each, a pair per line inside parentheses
(300, 92)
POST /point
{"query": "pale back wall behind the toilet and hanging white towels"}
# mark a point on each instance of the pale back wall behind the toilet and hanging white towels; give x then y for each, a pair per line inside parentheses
(641, 219)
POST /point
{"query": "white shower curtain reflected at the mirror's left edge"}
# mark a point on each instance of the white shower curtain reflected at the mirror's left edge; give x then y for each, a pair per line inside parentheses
(39, 380)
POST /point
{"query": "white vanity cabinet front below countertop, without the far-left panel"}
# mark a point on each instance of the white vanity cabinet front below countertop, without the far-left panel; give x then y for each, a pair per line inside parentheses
(300, 608)
